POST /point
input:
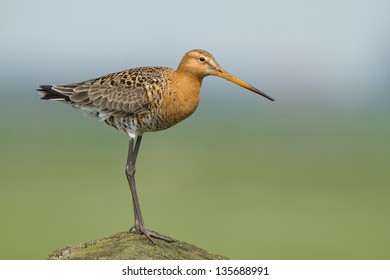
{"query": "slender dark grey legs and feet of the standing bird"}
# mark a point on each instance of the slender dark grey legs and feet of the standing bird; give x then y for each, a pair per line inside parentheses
(139, 225)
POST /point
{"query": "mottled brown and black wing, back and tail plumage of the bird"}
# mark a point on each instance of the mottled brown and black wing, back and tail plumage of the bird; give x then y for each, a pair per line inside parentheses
(127, 92)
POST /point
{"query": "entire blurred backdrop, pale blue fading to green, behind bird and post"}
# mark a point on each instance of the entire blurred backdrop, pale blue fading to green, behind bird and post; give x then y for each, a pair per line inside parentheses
(304, 177)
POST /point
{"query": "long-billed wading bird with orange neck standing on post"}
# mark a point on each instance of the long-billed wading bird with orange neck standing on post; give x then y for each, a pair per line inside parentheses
(144, 99)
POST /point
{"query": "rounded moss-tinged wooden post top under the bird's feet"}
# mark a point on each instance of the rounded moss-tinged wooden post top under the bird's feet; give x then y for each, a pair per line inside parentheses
(129, 246)
